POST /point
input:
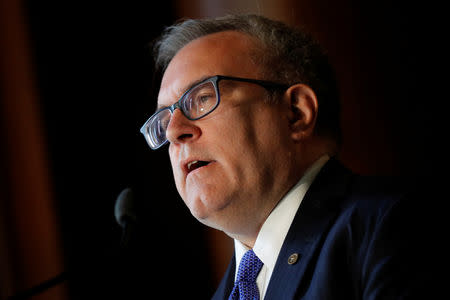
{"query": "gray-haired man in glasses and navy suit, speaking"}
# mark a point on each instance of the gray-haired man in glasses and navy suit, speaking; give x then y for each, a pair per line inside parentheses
(249, 108)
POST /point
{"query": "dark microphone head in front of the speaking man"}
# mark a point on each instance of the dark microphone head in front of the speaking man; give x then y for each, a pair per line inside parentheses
(125, 214)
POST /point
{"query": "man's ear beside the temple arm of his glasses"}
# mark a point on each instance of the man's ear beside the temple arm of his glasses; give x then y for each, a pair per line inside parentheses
(303, 109)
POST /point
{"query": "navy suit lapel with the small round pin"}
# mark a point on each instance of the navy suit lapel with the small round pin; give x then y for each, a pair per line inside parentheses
(317, 211)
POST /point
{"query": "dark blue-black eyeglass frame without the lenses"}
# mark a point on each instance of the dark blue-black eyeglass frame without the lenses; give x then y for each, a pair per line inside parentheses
(215, 82)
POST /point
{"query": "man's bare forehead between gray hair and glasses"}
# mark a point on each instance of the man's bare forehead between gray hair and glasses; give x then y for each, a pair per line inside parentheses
(225, 53)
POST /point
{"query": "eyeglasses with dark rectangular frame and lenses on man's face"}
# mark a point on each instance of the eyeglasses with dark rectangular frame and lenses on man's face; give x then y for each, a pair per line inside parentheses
(196, 103)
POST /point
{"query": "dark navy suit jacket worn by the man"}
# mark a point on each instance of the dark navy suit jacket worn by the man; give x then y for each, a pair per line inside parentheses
(356, 238)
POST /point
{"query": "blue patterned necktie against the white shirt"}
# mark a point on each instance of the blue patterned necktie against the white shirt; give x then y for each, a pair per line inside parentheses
(245, 287)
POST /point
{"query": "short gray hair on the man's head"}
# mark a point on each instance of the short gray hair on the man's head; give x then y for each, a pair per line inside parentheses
(288, 55)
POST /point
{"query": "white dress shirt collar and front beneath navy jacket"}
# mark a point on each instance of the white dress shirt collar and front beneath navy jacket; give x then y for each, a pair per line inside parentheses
(274, 230)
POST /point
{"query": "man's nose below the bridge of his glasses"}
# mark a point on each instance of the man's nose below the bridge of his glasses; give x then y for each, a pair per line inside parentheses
(181, 129)
